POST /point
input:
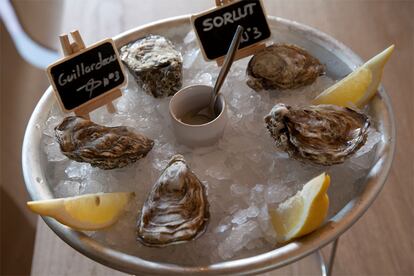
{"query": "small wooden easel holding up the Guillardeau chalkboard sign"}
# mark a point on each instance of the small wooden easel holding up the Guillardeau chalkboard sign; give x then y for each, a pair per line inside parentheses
(72, 48)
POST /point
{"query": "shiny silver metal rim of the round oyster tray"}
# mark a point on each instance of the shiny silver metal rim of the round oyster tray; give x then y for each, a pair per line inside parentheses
(339, 59)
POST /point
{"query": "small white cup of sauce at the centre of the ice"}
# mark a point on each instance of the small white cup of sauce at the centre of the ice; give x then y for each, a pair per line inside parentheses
(191, 99)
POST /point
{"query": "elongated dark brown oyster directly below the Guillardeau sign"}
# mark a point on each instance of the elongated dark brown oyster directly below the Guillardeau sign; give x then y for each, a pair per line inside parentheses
(103, 147)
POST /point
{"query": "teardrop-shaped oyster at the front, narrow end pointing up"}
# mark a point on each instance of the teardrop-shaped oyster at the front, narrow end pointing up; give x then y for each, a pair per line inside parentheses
(176, 210)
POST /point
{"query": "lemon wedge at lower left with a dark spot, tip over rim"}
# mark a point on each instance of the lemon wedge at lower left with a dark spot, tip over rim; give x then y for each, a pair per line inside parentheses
(85, 212)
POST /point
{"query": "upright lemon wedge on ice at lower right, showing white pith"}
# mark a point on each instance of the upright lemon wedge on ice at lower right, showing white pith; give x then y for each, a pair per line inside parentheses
(304, 212)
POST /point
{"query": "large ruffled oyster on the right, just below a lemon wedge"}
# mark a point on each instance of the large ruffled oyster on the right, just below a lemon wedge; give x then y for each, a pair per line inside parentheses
(323, 134)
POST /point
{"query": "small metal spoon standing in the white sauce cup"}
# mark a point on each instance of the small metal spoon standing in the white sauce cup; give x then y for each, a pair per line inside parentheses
(209, 111)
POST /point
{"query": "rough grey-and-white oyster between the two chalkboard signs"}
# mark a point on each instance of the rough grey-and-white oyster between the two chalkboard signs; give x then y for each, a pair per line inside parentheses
(155, 64)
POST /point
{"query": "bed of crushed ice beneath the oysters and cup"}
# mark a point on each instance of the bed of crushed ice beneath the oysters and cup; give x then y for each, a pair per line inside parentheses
(244, 174)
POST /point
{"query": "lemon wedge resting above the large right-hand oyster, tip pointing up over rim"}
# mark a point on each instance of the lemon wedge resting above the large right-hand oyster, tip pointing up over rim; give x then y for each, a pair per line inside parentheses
(360, 86)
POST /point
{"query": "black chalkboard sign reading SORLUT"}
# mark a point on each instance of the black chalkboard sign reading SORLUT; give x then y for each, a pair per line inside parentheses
(215, 28)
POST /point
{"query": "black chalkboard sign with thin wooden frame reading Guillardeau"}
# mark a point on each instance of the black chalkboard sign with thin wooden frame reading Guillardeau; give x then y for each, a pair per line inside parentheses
(87, 75)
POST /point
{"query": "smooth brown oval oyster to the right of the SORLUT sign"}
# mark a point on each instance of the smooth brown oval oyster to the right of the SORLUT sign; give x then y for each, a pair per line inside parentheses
(282, 66)
